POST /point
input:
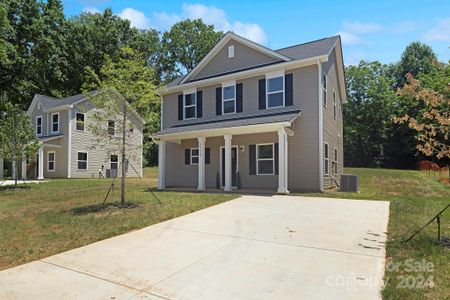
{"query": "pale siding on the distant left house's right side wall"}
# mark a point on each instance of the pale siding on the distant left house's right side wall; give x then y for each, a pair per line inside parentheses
(99, 154)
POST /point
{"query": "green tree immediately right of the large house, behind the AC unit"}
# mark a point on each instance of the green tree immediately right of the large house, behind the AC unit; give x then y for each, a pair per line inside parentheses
(367, 114)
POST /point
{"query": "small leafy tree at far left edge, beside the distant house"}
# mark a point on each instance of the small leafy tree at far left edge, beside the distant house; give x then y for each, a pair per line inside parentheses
(17, 140)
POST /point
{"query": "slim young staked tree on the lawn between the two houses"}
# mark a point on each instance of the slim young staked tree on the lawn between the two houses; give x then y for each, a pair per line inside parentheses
(129, 80)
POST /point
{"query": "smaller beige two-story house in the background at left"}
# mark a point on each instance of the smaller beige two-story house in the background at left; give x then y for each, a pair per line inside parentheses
(69, 149)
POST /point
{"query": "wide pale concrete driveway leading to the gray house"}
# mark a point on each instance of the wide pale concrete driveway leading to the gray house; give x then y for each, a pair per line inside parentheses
(254, 247)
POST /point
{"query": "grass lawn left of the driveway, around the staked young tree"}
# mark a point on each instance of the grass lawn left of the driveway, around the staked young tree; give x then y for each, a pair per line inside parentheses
(64, 214)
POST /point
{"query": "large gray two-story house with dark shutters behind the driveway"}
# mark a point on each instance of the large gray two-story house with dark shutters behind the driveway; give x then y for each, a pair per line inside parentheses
(250, 117)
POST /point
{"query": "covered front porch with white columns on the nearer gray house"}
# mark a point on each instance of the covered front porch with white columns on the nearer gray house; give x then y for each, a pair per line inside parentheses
(247, 158)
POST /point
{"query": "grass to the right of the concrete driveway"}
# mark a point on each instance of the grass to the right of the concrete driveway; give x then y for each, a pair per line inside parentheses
(415, 197)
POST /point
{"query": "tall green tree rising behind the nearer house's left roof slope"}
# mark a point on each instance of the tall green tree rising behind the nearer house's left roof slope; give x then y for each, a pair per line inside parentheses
(184, 46)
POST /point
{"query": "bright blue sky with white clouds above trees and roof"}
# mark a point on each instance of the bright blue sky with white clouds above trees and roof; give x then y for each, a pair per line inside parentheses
(370, 30)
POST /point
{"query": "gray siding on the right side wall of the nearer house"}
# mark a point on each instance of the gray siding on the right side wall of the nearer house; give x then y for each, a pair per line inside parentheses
(332, 128)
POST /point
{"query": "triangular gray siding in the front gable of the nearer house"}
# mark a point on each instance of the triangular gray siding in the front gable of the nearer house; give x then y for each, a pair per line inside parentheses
(244, 57)
